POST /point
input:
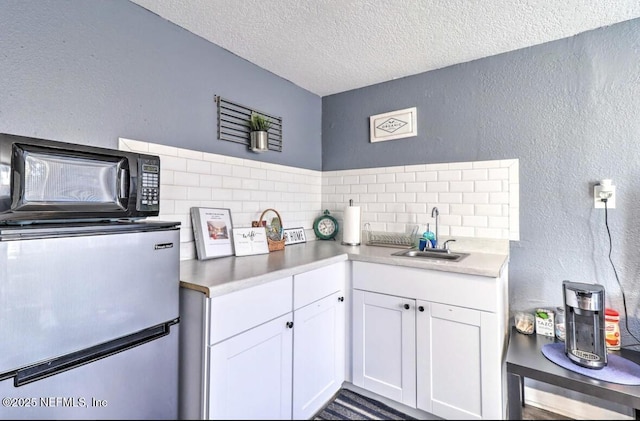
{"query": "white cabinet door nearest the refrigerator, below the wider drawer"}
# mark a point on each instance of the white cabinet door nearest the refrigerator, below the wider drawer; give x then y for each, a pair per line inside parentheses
(250, 374)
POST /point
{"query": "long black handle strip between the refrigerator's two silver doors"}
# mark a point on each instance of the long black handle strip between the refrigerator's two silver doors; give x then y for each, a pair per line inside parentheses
(66, 362)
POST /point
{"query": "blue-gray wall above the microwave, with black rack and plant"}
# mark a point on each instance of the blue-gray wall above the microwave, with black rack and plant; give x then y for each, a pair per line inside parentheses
(91, 71)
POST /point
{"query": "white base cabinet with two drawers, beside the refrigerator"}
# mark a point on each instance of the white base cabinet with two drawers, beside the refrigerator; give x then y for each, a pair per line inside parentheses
(271, 351)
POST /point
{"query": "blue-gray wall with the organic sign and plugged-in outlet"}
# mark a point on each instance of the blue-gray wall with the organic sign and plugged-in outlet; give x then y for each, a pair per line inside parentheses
(569, 110)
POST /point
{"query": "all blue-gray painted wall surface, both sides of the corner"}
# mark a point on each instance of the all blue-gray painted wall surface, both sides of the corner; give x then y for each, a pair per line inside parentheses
(92, 71)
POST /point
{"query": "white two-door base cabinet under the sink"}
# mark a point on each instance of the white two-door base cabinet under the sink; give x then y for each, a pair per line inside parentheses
(431, 340)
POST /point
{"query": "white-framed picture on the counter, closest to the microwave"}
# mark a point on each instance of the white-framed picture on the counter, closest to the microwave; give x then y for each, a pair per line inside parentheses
(212, 230)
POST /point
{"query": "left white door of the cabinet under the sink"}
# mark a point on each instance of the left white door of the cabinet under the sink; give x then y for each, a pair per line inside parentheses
(384, 347)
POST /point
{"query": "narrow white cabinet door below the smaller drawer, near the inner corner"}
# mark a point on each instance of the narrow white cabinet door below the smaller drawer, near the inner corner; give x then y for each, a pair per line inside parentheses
(318, 354)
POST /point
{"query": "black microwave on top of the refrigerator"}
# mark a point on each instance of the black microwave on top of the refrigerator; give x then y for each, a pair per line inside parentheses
(50, 181)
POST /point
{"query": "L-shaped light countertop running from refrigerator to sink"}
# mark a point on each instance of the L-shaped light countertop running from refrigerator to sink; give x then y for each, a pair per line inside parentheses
(223, 275)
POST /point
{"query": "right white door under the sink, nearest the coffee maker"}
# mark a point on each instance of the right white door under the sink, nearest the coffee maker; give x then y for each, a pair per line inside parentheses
(450, 358)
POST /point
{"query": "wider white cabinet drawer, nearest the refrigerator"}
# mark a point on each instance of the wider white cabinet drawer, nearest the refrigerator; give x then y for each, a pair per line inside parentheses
(241, 310)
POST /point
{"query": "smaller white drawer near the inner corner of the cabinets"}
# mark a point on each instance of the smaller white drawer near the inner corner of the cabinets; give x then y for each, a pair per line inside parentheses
(316, 284)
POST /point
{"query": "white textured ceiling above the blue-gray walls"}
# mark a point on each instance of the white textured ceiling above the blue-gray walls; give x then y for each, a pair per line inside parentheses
(332, 46)
